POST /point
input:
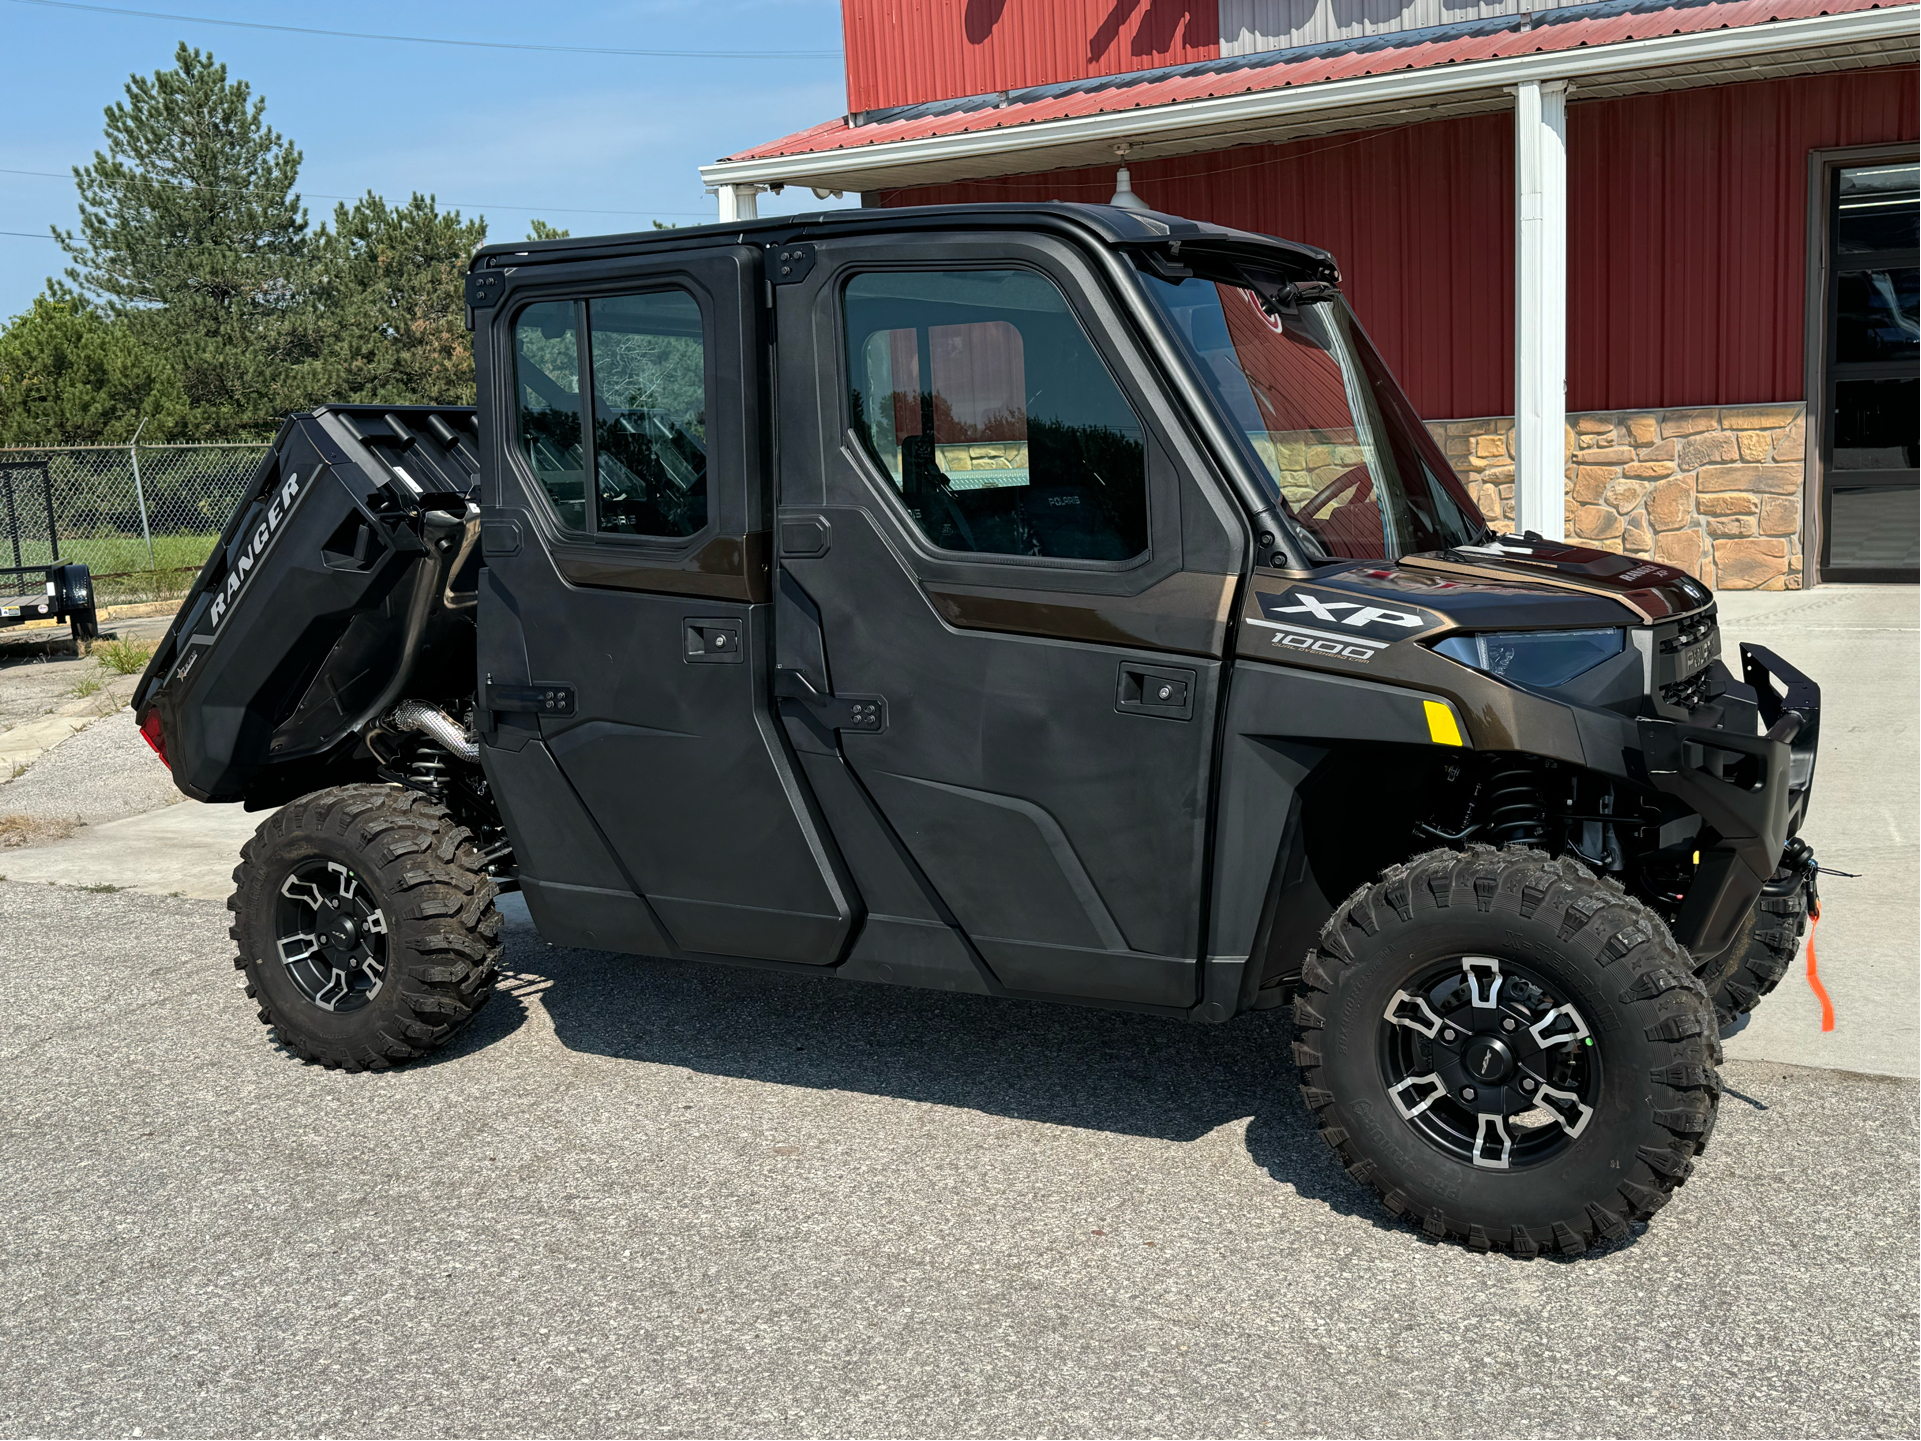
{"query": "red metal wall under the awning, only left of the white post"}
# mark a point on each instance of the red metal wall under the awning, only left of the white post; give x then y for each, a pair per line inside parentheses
(1421, 218)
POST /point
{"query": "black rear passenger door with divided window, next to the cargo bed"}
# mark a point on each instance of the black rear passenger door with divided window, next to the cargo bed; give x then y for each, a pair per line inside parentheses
(625, 622)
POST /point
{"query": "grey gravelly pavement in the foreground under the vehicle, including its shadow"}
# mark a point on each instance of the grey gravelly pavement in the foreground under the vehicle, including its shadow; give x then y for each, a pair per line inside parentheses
(664, 1200)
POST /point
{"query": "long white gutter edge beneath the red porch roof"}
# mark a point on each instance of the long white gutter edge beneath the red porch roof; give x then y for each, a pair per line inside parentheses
(1219, 122)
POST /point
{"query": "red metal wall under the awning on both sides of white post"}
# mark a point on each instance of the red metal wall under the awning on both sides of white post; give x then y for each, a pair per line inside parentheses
(1688, 235)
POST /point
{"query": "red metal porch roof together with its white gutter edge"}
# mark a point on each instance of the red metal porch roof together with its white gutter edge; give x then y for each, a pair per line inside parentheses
(1257, 99)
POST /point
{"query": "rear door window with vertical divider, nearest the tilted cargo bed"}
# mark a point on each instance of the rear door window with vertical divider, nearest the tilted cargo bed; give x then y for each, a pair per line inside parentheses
(646, 447)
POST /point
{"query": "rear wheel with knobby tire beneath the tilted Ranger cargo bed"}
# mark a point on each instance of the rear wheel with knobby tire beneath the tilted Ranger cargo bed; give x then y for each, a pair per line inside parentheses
(366, 927)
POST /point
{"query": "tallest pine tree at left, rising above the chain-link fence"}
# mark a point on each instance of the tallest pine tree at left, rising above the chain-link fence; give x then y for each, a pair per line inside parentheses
(193, 235)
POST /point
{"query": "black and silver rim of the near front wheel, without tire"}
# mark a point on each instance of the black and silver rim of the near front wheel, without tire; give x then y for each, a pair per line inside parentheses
(1488, 1065)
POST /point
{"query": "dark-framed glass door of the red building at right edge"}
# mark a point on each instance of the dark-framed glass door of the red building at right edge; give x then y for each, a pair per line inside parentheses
(1870, 468)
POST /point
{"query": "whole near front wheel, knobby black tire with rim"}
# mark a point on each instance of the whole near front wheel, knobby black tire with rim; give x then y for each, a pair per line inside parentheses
(1509, 1050)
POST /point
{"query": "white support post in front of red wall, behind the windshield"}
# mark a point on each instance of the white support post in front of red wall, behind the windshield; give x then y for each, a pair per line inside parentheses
(1542, 308)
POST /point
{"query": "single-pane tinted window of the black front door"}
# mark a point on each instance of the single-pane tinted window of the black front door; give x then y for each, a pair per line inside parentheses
(994, 416)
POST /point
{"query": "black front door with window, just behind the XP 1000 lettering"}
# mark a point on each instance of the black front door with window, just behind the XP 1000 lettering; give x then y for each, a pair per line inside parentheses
(1004, 593)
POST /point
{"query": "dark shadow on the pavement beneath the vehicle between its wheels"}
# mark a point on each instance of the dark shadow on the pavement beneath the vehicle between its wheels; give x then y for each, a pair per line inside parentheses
(1021, 1060)
